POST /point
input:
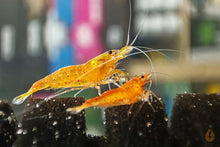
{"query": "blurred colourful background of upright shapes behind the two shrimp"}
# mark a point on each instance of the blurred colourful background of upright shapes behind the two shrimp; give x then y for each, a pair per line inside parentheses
(39, 37)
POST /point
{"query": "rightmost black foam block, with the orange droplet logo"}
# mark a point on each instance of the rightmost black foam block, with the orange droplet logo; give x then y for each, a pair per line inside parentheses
(195, 121)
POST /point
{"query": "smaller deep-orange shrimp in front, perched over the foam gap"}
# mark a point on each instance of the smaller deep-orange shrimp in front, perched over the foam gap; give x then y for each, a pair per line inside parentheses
(129, 93)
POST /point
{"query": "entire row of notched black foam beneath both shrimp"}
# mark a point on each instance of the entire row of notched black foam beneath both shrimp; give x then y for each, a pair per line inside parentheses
(194, 121)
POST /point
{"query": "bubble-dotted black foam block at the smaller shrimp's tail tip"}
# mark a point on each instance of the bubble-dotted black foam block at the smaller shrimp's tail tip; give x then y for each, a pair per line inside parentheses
(48, 123)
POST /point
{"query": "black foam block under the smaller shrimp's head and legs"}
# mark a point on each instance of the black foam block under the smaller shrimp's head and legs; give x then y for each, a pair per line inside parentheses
(142, 127)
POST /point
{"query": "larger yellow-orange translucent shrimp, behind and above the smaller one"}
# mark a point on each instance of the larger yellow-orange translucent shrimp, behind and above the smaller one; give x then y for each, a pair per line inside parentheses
(91, 74)
